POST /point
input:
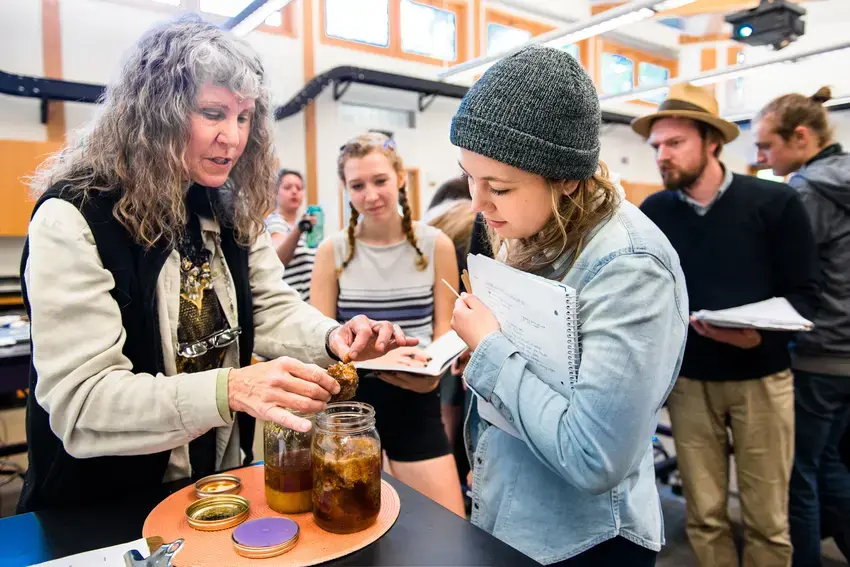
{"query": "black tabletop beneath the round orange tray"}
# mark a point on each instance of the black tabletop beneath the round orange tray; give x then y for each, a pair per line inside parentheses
(424, 534)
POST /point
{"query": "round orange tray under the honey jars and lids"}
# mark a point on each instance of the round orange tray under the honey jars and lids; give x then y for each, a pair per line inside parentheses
(315, 545)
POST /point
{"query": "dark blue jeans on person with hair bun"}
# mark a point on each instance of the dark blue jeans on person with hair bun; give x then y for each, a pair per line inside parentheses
(820, 482)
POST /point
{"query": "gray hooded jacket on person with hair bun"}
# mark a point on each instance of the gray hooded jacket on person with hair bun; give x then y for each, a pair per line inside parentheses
(824, 187)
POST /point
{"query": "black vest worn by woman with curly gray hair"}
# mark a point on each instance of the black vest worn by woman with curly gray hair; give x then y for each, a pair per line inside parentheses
(56, 479)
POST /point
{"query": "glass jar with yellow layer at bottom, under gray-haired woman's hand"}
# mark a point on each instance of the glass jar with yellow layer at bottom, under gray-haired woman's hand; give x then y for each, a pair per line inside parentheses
(288, 472)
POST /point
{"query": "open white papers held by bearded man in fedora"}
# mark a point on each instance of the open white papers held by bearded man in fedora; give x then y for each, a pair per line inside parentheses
(774, 314)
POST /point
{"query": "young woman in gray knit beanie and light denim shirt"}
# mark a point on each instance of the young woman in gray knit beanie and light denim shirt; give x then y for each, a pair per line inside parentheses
(576, 485)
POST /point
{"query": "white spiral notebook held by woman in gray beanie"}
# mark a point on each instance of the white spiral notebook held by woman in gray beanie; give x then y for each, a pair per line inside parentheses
(538, 316)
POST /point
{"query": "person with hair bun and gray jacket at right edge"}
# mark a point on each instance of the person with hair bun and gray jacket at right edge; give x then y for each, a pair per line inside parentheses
(795, 138)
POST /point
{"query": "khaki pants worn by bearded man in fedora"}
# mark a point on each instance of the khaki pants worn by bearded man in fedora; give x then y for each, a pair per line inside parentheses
(760, 414)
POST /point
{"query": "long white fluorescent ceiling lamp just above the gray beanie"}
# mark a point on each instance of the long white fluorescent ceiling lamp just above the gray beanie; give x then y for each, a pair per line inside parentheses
(606, 21)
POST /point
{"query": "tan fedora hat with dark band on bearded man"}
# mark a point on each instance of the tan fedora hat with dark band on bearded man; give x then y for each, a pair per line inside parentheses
(688, 101)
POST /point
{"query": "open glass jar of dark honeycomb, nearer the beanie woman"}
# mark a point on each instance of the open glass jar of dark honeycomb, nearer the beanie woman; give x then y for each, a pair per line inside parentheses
(346, 468)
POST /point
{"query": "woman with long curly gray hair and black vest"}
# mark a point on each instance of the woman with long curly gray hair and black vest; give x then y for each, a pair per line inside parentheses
(149, 281)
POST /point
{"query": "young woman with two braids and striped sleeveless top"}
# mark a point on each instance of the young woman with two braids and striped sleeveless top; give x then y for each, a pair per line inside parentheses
(386, 264)
